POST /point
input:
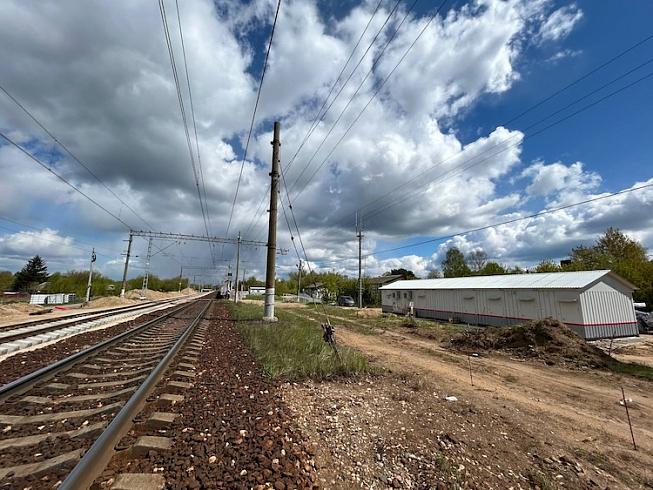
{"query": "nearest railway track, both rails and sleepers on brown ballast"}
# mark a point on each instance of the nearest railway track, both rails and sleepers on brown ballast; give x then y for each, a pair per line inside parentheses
(59, 425)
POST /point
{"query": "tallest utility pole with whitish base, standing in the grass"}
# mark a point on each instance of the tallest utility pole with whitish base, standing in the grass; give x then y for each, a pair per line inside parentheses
(268, 312)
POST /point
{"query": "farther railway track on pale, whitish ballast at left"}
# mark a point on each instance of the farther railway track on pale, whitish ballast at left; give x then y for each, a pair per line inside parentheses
(21, 336)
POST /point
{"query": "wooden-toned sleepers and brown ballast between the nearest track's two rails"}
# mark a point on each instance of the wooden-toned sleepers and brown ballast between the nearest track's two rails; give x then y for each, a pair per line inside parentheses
(50, 421)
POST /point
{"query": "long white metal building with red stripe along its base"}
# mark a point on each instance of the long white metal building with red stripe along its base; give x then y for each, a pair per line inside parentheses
(595, 304)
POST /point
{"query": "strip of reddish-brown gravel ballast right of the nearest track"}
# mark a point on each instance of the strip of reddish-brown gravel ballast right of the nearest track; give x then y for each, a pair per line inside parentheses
(231, 430)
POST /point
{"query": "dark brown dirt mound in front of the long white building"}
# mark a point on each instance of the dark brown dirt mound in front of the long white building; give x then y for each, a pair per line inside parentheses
(547, 339)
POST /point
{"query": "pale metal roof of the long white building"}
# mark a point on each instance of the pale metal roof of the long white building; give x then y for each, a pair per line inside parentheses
(537, 280)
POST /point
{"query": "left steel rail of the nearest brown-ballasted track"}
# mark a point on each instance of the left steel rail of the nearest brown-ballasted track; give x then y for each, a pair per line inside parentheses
(24, 383)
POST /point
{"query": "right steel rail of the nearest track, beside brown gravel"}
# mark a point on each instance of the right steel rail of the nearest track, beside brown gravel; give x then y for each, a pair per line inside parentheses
(100, 453)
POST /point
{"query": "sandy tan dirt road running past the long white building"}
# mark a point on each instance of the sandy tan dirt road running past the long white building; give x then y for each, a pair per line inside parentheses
(571, 414)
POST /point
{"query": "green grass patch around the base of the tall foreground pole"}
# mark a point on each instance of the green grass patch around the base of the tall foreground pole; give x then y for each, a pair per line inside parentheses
(292, 348)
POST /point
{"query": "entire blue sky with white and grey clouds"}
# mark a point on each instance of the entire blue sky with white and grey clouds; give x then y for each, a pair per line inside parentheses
(108, 94)
